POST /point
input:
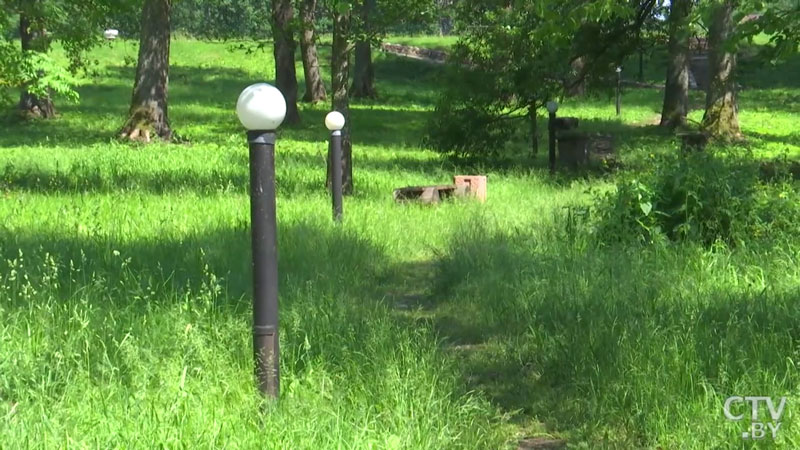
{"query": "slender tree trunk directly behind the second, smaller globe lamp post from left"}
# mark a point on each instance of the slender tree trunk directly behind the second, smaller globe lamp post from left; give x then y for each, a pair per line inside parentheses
(340, 71)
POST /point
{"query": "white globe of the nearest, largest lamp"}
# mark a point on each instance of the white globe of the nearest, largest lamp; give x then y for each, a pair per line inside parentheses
(261, 107)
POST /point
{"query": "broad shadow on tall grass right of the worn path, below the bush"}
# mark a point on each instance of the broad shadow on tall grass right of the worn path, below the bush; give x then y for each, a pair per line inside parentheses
(579, 337)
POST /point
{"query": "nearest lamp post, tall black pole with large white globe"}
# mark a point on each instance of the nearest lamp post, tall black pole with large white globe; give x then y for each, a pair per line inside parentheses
(261, 109)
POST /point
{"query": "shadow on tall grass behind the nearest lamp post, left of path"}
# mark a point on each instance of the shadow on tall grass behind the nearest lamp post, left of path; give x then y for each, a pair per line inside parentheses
(324, 273)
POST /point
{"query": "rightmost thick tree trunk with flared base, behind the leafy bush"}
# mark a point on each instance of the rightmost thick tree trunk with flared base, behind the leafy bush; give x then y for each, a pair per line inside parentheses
(721, 118)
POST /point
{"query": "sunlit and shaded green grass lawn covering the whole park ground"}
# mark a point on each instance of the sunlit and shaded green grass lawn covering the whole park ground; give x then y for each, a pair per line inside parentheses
(125, 282)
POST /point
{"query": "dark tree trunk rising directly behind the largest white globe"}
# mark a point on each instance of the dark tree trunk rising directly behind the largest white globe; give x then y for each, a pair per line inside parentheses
(285, 73)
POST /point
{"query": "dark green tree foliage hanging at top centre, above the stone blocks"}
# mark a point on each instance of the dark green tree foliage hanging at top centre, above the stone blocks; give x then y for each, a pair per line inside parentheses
(514, 58)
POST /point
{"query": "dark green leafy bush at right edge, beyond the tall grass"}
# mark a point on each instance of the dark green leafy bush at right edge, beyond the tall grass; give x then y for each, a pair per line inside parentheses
(700, 197)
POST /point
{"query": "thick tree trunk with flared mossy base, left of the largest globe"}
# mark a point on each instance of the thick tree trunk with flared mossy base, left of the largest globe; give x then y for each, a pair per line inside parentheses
(148, 115)
